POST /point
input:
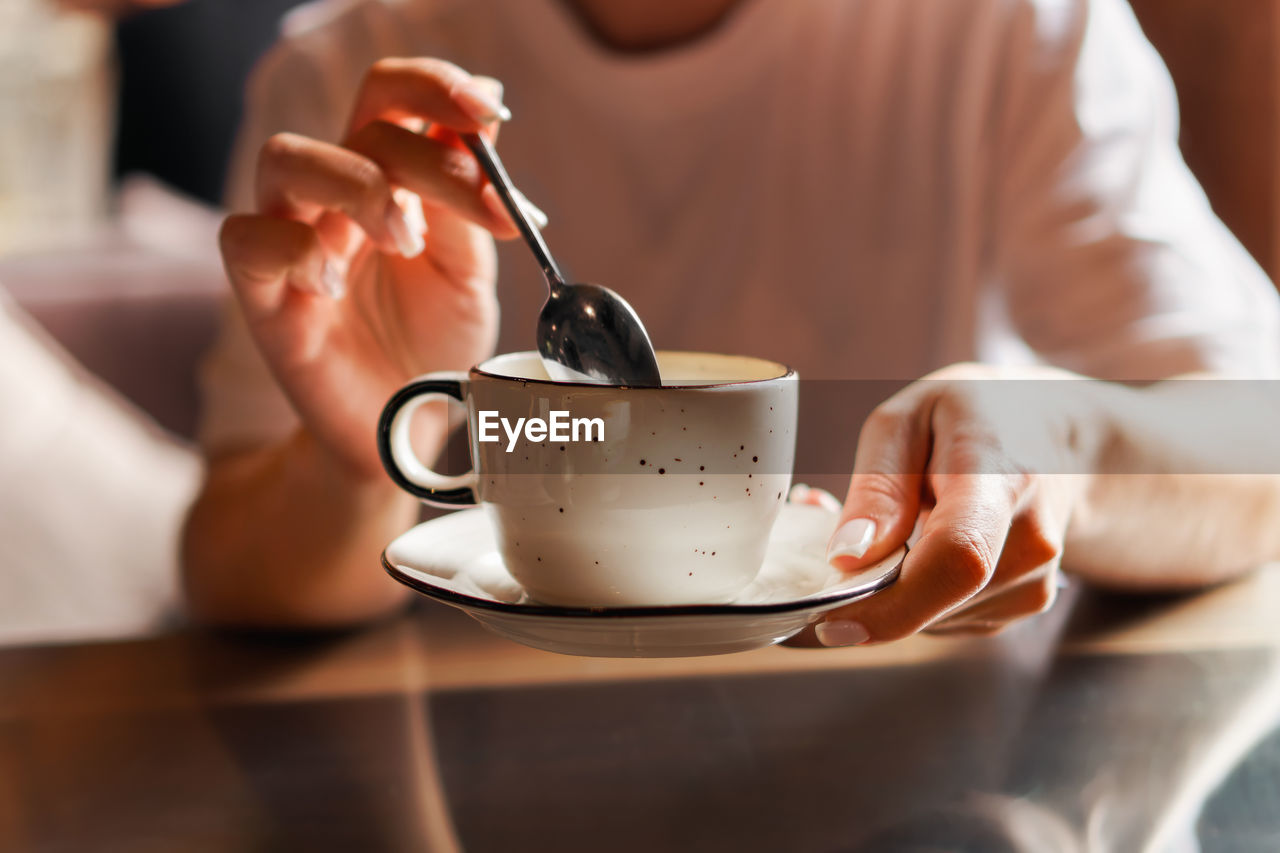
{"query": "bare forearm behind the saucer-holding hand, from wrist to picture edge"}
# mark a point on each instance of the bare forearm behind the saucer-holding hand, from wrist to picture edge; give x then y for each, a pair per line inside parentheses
(1186, 490)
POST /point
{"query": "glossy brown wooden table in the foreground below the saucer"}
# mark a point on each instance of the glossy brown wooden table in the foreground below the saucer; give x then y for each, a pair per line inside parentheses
(1110, 724)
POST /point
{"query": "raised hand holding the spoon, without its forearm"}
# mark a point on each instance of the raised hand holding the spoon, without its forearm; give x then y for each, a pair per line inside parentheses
(372, 262)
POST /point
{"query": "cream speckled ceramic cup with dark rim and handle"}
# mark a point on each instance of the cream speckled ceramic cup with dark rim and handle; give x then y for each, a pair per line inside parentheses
(674, 507)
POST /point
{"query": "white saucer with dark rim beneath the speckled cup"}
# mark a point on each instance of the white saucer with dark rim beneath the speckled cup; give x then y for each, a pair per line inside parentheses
(455, 560)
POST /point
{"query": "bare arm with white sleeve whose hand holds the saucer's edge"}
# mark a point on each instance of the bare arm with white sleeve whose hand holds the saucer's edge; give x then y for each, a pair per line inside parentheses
(1109, 263)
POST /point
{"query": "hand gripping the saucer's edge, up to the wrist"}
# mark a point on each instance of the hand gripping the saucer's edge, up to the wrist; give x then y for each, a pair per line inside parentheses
(990, 464)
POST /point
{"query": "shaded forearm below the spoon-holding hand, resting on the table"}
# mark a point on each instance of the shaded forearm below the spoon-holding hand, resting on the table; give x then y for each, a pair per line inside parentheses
(285, 537)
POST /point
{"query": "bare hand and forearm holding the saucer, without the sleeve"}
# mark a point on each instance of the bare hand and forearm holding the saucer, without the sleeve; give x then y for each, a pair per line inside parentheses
(1014, 475)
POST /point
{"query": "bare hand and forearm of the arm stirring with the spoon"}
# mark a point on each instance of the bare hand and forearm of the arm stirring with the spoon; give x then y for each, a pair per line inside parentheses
(364, 266)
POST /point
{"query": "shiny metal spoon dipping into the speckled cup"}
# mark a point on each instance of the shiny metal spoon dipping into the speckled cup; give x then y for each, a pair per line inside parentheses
(586, 332)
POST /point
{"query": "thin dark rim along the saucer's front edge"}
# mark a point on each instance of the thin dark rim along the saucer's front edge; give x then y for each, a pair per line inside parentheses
(461, 600)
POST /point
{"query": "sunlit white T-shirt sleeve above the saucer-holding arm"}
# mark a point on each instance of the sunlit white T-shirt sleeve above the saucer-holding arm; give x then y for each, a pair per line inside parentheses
(1108, 254)
